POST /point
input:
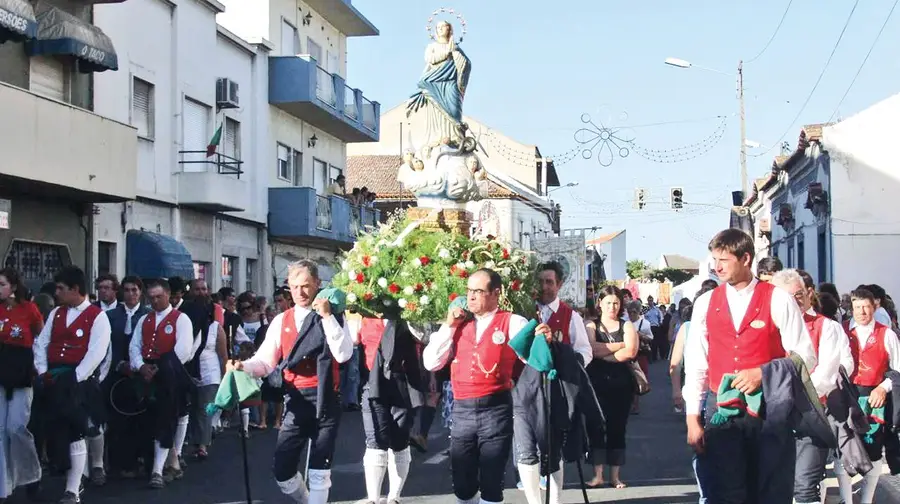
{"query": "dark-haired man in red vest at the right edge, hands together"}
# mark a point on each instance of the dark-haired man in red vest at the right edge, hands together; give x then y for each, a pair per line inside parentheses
(876, 350)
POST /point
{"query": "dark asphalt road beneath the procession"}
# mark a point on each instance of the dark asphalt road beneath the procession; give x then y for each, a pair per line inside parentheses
(657, 471)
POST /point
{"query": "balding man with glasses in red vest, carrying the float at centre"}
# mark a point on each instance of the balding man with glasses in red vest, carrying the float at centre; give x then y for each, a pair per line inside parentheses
(476, 344)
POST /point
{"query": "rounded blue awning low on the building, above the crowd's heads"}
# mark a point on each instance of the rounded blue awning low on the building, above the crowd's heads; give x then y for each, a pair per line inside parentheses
(153, 255)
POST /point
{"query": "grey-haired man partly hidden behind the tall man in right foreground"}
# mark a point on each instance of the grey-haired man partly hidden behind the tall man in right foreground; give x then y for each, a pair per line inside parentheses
(832, 348)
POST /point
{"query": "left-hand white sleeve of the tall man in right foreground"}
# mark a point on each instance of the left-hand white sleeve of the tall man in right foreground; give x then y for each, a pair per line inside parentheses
(696, 358)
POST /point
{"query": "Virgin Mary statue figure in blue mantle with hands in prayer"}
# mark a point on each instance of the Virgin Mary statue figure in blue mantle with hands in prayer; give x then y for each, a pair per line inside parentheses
(441, 90)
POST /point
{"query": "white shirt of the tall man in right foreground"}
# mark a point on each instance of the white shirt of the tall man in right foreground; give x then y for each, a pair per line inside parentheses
(785, 315)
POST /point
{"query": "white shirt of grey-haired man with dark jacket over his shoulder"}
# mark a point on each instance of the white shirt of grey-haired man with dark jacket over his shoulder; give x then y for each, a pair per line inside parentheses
(270, 352)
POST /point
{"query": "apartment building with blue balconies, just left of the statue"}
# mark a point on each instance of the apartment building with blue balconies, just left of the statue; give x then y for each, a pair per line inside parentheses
(313, 114)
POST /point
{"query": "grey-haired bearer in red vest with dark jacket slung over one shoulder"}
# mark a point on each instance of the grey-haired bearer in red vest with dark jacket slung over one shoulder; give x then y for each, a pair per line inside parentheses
(309, 342)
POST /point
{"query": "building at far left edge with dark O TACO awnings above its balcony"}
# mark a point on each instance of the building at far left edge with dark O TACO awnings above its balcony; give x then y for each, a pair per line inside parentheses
(61, 155)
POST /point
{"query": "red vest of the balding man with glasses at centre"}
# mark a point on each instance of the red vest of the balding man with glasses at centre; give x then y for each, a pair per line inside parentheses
(483, 368)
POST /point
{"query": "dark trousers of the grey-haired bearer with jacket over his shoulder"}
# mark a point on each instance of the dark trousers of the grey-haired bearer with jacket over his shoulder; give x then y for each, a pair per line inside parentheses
(301, 426)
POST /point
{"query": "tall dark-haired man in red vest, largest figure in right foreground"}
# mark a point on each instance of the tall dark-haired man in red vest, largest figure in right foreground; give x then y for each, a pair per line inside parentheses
(735, 330)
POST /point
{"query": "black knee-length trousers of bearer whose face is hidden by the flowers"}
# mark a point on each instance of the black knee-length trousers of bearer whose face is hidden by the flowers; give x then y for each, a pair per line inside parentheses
(387, 427)
